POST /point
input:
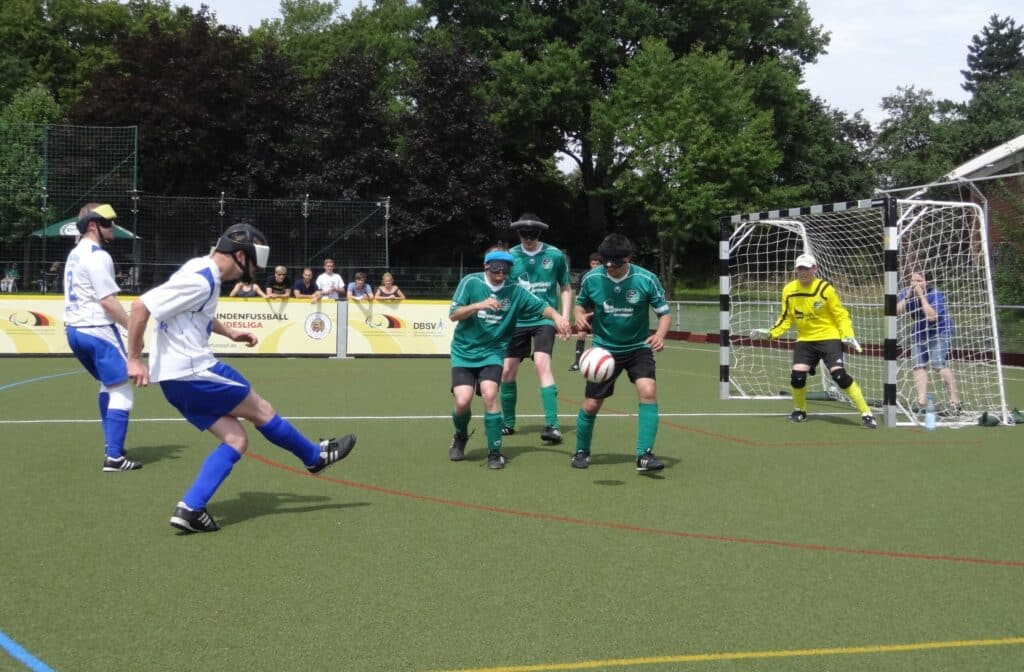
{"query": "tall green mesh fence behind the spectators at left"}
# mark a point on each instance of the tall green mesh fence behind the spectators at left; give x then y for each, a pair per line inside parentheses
(49, 173)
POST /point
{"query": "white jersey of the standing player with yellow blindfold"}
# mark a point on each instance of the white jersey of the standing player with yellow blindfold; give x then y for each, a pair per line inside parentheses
(89, 278)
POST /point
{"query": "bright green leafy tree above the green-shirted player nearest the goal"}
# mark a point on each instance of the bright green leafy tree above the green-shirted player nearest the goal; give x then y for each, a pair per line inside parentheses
(696, 145)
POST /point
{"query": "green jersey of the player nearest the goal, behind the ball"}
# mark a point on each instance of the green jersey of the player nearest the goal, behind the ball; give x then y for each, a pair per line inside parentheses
(622, 322)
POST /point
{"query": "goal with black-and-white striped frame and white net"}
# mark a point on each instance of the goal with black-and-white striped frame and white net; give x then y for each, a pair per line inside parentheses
(868, 250)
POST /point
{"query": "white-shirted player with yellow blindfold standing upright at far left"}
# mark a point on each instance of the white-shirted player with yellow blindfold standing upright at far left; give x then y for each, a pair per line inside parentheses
(92, 315)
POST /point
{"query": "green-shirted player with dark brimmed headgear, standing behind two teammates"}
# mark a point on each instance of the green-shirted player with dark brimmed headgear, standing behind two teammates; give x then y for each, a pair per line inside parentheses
(543, 271)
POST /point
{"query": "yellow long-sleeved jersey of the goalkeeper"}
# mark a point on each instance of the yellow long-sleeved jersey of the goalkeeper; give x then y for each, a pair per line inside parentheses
(817, 312)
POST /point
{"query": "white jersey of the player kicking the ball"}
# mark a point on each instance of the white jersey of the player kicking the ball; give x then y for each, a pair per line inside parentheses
(184, 309)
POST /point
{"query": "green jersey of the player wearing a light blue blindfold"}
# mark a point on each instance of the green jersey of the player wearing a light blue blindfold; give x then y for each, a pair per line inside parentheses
(482, 340)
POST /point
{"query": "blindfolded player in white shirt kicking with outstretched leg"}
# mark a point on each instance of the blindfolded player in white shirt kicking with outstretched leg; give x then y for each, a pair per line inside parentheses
(209, 394)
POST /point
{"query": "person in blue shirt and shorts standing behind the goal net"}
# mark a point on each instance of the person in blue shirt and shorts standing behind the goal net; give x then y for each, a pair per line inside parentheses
(931, 338)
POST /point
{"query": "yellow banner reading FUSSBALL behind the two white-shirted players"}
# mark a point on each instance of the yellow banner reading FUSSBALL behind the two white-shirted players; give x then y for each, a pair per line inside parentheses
(34, 325)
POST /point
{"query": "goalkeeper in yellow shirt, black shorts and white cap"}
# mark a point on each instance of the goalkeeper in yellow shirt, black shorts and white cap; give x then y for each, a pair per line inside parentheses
(814, 307)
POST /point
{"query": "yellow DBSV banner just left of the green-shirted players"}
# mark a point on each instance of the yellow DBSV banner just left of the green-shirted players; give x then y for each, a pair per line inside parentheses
(407, 327)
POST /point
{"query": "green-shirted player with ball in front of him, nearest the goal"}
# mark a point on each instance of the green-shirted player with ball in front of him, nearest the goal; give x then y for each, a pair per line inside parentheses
(619, 296)
